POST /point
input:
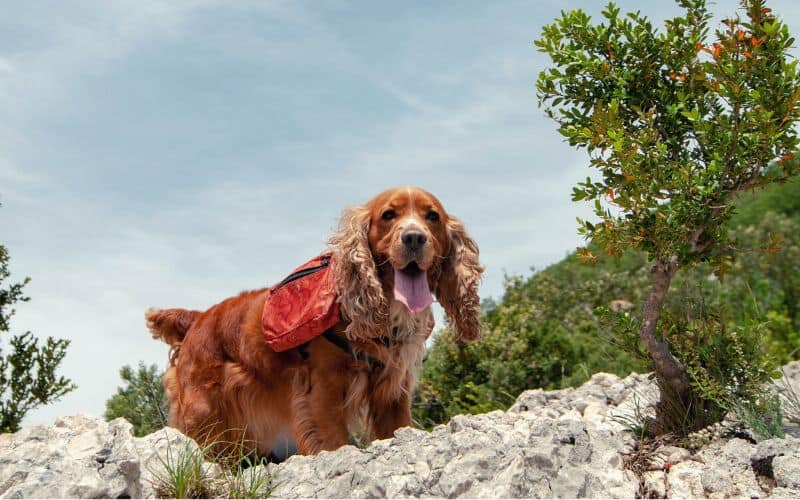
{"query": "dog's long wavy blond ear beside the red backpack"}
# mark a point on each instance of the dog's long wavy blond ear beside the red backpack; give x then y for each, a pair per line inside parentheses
(360, 291)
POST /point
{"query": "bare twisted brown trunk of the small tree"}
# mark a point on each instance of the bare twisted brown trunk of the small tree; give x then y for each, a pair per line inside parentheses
(674, 406)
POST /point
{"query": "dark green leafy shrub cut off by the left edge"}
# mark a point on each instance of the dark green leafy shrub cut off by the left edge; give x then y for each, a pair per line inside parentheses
(28, 372)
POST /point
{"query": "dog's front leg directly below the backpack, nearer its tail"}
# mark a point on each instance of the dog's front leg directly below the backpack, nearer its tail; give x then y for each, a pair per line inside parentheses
(318, 416)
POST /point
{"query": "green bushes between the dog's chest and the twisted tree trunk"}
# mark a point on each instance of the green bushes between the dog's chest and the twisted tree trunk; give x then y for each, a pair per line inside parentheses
(543, 333)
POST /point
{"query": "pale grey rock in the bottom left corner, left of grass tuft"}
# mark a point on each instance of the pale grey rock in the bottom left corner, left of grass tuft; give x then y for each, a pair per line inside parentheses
(85, 457)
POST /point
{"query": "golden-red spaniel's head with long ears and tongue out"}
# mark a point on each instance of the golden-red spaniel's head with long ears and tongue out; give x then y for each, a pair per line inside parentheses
(403, 245)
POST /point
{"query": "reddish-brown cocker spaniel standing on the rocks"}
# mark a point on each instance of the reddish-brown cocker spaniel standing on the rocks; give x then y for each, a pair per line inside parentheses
(225, 384)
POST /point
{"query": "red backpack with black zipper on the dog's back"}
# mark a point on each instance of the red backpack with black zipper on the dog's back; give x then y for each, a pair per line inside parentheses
(302, 306)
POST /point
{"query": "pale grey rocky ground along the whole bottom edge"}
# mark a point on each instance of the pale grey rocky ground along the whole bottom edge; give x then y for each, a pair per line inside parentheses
(566, 443)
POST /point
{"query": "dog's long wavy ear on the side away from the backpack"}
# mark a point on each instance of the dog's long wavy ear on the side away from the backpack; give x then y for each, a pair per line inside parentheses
(457, 289)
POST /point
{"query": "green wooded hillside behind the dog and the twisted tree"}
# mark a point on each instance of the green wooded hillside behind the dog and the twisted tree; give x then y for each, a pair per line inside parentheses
(558, 326)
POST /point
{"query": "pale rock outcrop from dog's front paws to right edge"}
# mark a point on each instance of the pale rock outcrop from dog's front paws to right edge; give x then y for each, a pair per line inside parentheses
(565, 443)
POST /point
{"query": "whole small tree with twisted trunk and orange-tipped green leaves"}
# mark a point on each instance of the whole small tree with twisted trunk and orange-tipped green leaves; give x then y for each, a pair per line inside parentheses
(677, 126)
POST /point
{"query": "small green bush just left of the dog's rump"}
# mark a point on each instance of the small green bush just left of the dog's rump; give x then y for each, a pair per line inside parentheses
(141, 401)
